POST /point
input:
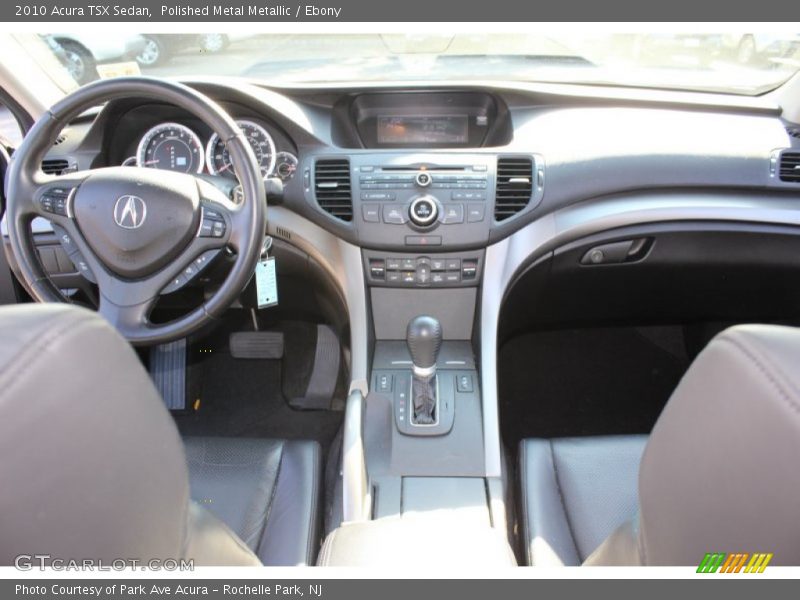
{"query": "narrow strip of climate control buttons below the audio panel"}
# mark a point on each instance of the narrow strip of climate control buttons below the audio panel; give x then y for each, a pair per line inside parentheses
(439, 270)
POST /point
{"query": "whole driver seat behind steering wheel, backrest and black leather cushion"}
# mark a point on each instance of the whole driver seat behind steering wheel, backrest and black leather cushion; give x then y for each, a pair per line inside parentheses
(93, 466)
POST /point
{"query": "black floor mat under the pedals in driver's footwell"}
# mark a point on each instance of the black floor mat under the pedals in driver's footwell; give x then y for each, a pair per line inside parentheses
(243, 397)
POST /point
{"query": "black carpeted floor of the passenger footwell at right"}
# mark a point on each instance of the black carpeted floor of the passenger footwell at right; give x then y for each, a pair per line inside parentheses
(587, 382)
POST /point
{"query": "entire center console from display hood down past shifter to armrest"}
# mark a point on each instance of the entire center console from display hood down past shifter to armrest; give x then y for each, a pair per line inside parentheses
(414, 454)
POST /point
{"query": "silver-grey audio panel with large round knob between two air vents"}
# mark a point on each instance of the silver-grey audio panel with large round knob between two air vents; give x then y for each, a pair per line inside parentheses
(419, 201)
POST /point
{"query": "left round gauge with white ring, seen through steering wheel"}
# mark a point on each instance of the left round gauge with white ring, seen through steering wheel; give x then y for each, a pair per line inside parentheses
(172, 147)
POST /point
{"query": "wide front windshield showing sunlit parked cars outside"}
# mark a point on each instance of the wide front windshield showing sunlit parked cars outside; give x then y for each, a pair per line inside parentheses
(743, 63)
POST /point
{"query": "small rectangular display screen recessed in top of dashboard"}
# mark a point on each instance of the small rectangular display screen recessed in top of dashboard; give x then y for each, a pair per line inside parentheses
(446, 129)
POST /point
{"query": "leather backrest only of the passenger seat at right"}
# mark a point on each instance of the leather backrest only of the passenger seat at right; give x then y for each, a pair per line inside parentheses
(720, 471)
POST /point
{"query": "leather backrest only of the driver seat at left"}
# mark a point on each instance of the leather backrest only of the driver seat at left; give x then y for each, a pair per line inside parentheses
(92, 465)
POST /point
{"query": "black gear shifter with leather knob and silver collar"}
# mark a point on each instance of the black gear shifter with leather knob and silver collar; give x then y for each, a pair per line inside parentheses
(424, 339)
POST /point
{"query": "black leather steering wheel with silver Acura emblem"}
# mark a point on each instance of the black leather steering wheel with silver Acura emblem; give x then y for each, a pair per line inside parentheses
(137, 231)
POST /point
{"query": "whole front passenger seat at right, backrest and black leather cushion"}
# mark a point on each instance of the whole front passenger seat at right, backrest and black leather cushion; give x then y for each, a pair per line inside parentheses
(719, 472)
